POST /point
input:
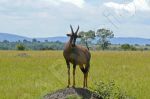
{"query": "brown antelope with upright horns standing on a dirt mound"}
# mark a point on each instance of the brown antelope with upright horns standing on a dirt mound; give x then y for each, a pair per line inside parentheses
(77, 55)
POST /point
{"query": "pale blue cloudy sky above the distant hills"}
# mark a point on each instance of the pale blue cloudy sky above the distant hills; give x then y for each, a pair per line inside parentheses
(49, 18)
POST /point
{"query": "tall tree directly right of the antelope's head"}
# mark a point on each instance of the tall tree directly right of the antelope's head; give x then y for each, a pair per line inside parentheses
(87, 37)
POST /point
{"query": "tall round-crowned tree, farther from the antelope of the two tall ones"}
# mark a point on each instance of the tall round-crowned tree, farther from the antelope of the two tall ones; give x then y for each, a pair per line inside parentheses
(104, 35)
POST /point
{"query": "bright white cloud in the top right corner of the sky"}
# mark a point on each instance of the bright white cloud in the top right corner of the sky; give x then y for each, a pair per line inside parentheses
(140, 5)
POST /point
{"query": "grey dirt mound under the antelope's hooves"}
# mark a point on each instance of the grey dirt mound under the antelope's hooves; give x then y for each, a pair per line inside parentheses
(68, 92)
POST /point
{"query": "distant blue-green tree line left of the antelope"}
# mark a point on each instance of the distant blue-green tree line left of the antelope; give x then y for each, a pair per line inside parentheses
(31, 45)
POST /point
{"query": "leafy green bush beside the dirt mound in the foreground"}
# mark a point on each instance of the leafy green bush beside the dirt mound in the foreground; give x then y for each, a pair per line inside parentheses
(110, 91)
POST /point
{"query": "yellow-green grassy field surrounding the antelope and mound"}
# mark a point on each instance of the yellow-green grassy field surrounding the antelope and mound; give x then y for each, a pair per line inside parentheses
(32, 74)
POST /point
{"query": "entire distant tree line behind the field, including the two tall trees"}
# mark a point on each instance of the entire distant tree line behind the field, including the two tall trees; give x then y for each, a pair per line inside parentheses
(99, 40)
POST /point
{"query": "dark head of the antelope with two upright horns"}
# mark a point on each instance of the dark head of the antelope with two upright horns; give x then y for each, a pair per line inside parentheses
(73, 36)
